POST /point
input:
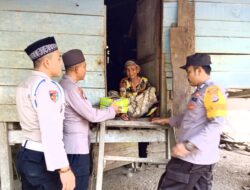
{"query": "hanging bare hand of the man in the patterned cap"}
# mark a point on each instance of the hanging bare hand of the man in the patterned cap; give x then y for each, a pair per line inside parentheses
(68, 180)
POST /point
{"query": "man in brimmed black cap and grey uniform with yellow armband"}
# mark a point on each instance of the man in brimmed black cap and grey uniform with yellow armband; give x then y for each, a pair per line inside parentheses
(199, 129)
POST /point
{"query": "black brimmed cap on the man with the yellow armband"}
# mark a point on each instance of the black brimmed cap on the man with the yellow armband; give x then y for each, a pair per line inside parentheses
(198, 59)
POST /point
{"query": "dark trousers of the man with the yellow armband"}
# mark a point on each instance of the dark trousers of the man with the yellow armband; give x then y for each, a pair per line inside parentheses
(182, 175)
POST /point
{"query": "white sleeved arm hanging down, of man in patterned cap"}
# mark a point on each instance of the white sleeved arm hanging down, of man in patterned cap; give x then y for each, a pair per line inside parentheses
(51, 126)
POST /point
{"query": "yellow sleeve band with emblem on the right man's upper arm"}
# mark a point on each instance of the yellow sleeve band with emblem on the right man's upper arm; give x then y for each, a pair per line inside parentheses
(215, 102)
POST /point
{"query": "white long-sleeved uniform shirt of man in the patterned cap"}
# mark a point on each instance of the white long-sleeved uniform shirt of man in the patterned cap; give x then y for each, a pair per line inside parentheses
(40, 104)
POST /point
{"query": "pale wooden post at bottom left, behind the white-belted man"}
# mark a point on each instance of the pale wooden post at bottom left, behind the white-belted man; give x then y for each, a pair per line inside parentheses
(5, 159)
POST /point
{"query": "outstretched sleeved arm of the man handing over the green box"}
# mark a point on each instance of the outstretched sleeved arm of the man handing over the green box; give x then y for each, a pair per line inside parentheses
(84, 108)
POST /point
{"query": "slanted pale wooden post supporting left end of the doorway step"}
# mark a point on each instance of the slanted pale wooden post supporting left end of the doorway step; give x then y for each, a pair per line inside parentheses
(100, 166)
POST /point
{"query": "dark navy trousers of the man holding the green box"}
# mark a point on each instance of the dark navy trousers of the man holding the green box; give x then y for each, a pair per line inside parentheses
(80, 165)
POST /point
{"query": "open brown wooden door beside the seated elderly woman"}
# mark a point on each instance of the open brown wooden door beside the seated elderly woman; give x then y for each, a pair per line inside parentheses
(149, 26)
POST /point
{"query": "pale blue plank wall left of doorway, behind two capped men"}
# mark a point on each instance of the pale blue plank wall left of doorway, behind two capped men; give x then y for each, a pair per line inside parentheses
(74, 24)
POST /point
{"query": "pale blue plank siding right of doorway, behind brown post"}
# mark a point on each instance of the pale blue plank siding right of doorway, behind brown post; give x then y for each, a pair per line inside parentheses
(222, 29)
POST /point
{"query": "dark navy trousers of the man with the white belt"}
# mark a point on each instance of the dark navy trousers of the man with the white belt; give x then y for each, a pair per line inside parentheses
(32, 169)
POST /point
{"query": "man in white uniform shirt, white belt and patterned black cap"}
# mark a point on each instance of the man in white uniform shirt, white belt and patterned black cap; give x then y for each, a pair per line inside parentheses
(42, 161)
